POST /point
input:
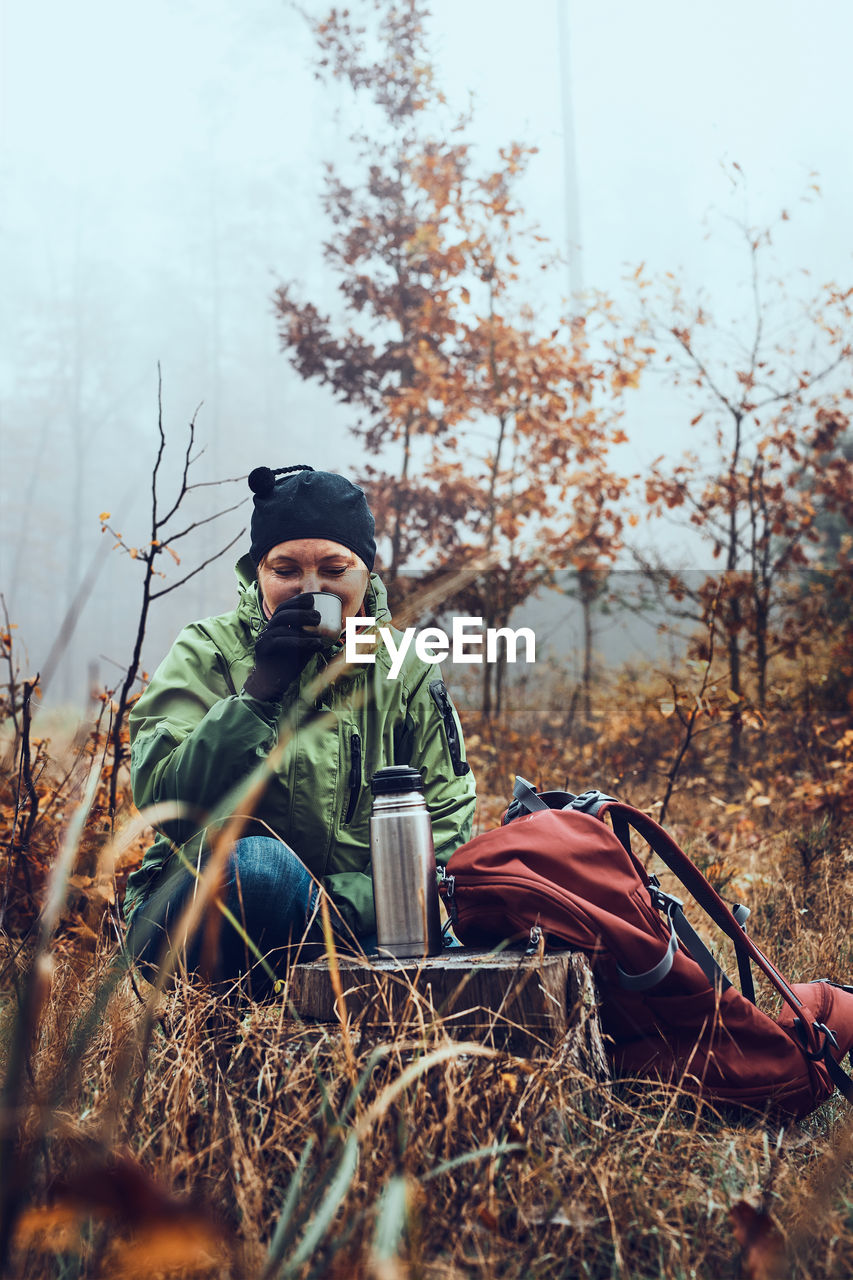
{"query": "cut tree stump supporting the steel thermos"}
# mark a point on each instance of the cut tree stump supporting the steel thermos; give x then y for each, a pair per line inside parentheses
(530, 1004)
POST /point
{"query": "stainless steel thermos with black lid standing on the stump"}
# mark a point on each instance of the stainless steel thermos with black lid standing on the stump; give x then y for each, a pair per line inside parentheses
(404, 865)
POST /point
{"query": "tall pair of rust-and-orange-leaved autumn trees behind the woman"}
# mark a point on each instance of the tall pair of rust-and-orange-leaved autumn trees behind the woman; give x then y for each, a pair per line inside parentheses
(487, 431)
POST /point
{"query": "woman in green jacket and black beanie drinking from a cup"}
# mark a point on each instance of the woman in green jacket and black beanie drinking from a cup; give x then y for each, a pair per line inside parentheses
(213, 711)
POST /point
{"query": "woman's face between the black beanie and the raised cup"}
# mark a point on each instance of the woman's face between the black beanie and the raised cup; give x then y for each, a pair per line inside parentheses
(313, 565)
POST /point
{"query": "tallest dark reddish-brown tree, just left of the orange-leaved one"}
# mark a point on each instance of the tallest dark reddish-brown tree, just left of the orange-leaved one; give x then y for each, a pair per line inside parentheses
(399, 281)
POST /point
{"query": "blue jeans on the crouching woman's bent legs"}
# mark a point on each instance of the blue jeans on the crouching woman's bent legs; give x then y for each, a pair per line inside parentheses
(270, 893)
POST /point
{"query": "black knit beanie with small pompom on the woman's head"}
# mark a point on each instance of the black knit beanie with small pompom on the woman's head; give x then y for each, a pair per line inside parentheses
(307, 504)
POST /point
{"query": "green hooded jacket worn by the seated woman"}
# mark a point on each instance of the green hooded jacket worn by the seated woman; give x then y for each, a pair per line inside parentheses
(195, 735)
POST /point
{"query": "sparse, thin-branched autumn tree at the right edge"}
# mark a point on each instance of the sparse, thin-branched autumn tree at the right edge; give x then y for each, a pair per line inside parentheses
(769, 401)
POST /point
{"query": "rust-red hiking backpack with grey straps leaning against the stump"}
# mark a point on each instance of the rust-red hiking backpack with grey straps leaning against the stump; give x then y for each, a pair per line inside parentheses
(668, 1009)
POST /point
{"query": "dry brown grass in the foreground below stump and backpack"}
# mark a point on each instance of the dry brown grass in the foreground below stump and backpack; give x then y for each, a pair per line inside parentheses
(245, 1144)
